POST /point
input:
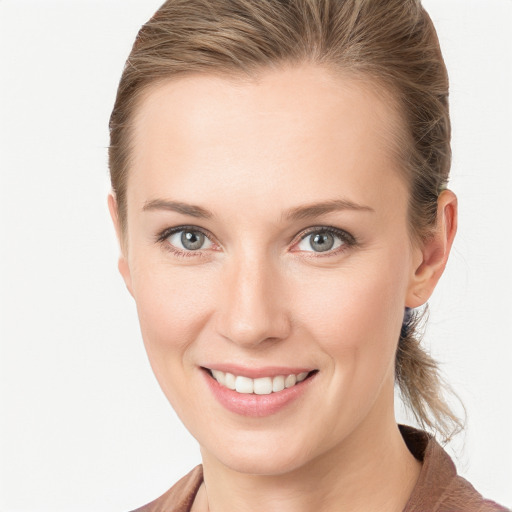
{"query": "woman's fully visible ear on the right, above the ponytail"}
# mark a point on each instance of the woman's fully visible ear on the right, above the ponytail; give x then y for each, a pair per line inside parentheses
(432, 254)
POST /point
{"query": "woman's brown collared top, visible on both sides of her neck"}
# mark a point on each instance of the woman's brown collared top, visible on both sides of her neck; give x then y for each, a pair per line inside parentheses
(438, 489)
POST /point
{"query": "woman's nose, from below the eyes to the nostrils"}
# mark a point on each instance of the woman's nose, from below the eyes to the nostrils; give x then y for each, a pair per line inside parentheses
(252, 307)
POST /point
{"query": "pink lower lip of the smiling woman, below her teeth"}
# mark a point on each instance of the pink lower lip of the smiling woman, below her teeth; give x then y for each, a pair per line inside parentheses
(253, 405)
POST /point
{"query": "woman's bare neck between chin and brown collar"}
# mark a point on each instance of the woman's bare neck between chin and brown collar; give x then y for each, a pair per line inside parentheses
(372, 470)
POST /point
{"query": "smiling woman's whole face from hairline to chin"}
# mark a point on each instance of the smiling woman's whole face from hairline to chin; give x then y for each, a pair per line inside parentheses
(267, 245)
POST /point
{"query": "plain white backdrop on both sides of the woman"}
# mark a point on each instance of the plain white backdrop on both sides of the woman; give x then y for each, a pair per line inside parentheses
(83, 424)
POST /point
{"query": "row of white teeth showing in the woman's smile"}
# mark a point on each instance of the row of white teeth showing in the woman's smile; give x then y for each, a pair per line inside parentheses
(260, 386)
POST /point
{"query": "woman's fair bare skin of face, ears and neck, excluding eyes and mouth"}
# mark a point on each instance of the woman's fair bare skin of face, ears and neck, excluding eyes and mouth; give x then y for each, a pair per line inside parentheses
(250, 152)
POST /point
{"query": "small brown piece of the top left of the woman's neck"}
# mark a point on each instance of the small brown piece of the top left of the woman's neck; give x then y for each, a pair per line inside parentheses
(179, 497)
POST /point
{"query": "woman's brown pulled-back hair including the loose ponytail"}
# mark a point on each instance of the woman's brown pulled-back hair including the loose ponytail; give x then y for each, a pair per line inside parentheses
(393, 44)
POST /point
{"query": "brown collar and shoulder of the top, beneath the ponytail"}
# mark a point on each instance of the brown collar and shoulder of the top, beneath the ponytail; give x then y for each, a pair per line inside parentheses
(439, 487)
